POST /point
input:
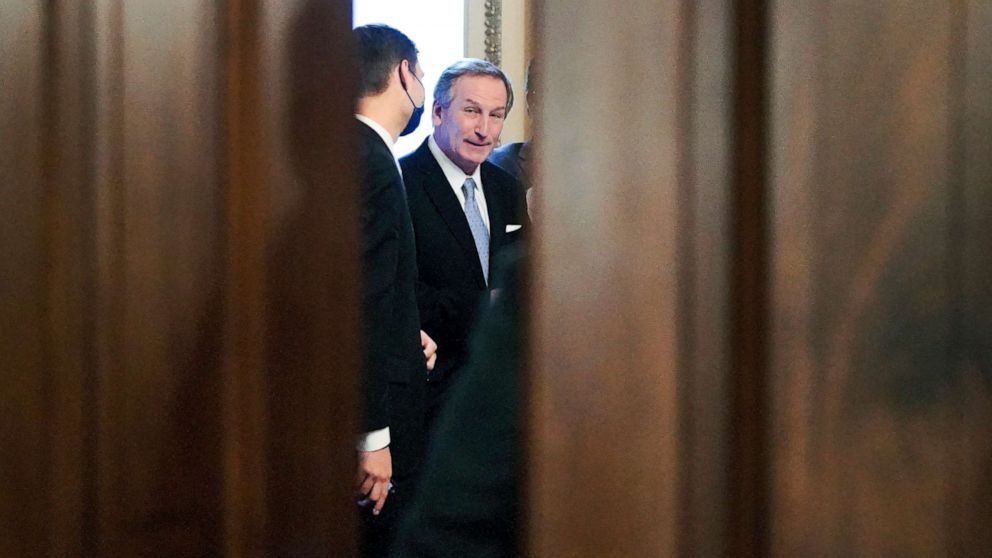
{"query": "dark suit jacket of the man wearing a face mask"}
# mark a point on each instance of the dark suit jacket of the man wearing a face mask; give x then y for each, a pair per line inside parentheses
(394, 379)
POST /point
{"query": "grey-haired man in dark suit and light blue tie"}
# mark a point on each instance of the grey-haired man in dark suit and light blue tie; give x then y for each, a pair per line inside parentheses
(464, 210)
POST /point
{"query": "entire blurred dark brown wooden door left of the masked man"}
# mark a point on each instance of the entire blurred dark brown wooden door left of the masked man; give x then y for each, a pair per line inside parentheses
(179, 280)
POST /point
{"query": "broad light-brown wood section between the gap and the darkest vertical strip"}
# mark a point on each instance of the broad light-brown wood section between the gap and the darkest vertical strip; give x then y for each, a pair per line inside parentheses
(628, 410)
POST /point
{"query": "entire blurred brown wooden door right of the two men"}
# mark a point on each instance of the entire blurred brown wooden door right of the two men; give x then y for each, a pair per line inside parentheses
(761, 321)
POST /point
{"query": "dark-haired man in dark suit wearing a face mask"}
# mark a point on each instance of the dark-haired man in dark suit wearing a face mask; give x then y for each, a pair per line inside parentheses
(397, 354)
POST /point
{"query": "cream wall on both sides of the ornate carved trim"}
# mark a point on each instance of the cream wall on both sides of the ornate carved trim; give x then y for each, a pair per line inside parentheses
(514, 54)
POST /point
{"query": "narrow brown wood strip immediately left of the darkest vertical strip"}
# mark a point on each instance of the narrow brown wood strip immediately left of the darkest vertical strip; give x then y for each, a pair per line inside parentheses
(705, 380)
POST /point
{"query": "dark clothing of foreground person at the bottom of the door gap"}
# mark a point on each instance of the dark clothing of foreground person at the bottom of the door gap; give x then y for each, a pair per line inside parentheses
(468, 499)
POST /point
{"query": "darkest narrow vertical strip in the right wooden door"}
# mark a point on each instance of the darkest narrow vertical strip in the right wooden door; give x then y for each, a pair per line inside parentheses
(747, 456)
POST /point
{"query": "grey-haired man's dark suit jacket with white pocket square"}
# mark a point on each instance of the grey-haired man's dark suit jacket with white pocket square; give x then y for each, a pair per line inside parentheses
(451, 284)
